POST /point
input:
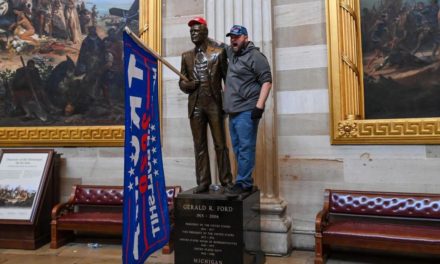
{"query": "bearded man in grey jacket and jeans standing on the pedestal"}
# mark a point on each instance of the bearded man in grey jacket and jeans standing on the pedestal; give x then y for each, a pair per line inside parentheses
(248, 85)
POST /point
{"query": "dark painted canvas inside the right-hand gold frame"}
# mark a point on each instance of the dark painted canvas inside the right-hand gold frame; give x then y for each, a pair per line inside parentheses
(401, 60)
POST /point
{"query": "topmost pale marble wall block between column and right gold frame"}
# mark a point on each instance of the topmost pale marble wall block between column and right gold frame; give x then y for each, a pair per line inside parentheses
(311, 12)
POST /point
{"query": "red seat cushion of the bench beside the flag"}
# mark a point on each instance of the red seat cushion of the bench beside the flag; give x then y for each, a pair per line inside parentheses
(102, 218)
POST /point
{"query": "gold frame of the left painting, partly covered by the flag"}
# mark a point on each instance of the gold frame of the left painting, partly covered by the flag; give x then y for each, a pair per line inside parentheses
(91, 136)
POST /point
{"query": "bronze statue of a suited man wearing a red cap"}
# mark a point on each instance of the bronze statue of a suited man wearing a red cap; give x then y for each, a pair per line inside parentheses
(205, 66)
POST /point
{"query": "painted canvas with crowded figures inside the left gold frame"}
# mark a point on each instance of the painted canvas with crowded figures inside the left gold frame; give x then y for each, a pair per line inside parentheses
(61, 61)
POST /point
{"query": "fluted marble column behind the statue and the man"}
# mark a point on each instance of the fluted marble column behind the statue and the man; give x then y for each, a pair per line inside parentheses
(256, 16)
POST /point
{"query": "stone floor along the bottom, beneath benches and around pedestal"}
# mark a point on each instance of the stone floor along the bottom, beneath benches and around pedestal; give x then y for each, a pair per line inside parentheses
(80, 253)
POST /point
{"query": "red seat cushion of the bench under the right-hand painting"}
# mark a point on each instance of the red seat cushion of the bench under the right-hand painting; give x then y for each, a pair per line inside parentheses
(384, 231)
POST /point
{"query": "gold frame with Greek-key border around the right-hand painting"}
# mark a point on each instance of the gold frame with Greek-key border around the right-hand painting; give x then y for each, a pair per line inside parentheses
(346, 91)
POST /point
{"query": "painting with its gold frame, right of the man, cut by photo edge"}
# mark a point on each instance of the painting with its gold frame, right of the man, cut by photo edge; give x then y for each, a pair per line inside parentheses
(384, 65)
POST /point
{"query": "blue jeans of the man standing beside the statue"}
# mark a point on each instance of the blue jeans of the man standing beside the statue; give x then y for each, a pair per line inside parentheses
(243, 131)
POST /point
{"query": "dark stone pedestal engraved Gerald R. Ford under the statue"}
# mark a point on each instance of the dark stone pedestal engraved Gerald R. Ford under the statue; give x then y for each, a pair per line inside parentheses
(213, 228)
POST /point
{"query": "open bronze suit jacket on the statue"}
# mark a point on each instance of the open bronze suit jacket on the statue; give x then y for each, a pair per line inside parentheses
(217, 68)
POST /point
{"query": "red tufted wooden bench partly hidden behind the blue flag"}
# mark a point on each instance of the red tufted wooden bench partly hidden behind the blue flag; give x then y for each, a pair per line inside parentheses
(96, 209)
